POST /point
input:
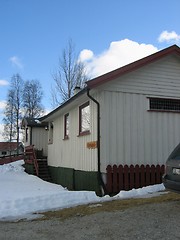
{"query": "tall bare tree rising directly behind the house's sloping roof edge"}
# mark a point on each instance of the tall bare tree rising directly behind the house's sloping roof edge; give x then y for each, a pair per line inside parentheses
(70, 74)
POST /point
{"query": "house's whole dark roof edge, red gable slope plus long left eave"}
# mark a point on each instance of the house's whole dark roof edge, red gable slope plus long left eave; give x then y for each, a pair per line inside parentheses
(174, 49)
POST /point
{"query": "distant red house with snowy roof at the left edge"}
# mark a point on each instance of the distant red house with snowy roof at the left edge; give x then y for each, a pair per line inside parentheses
(10, 148)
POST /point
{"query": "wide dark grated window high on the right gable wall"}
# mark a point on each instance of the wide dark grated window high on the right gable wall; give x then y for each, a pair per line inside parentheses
(164, 104)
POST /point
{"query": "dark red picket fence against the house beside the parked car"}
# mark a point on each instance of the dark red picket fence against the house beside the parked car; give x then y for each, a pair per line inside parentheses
(129, 177)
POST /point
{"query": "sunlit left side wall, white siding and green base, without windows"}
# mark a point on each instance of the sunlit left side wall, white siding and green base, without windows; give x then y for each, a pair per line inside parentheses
(72, 162)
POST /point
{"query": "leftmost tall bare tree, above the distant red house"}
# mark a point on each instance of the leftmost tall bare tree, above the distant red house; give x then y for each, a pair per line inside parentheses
(13, 112)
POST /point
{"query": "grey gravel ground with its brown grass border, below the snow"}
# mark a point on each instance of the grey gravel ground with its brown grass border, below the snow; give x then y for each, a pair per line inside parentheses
(143, 219)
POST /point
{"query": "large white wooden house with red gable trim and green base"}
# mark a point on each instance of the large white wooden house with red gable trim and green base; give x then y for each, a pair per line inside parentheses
(130, 116)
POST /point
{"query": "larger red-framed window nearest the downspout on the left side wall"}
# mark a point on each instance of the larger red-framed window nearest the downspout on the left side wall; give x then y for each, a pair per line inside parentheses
(84, 119)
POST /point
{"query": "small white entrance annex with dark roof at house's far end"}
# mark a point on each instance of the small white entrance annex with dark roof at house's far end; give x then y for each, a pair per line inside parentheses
(35, 133)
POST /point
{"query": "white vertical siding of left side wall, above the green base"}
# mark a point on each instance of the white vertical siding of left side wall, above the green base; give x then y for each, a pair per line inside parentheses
(73, 152)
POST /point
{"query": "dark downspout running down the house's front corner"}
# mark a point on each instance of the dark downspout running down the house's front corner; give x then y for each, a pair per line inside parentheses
(101, 182)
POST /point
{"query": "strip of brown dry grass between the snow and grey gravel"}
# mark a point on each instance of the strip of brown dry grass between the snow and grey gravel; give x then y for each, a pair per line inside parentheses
(110, 206)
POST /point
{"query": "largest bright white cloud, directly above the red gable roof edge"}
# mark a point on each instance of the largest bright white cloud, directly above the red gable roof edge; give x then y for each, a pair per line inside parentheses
(117, 55)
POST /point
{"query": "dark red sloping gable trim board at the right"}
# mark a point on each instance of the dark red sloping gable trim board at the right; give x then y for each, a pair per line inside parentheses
(174, 49)
